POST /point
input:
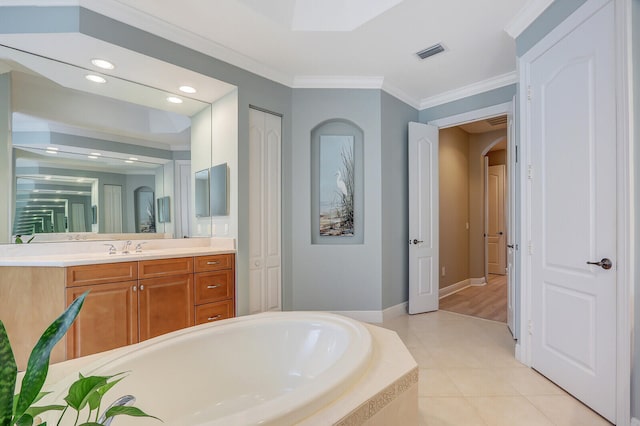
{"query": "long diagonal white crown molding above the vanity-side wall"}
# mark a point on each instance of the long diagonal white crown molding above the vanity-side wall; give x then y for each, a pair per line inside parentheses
(120, 11)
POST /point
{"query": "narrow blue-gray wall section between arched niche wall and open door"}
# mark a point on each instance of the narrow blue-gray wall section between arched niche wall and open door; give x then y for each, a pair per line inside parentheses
(395, 199)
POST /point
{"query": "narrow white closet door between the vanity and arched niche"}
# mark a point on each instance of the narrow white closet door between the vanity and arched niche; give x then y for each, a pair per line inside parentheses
(265, 272)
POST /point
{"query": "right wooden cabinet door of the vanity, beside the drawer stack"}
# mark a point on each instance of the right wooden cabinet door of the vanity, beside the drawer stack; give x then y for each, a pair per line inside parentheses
(165, 305)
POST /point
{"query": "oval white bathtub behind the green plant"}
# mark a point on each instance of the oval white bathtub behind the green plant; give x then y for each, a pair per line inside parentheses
(265, 369)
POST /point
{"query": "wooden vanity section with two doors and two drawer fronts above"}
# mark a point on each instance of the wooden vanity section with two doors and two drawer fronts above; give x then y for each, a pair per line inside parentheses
(116, 314)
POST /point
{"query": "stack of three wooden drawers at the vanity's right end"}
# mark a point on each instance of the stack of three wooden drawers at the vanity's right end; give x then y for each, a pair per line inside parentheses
(214, 288)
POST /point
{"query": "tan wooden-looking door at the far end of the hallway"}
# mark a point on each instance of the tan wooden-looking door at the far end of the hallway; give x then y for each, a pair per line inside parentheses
(496, 247)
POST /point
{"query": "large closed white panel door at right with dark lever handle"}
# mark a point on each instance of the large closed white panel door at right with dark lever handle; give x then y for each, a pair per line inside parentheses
(573, 212)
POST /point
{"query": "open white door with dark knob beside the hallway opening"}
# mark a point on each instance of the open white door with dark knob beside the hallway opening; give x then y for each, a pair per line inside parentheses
(423, 218)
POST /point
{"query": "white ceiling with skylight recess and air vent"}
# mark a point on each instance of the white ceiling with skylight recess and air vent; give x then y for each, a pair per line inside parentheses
(267, 37)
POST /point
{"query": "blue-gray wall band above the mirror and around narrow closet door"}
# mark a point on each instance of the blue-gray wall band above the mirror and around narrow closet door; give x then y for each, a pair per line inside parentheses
(253, 90)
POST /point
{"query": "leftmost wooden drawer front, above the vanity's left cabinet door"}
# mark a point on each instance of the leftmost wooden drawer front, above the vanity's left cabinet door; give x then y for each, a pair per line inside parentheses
(102, 273)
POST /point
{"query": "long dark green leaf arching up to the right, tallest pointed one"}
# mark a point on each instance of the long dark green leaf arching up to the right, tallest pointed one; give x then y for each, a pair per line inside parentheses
(38, 364)
